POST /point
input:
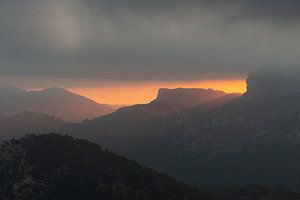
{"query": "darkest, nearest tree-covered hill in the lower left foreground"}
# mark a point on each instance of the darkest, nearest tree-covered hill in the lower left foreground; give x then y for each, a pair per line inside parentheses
(60, 167)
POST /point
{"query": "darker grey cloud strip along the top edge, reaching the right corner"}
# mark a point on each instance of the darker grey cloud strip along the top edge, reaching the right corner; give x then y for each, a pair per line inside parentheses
(261, 10)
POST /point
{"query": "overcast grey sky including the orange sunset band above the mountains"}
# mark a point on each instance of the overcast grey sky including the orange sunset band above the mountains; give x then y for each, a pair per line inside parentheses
(111, 48)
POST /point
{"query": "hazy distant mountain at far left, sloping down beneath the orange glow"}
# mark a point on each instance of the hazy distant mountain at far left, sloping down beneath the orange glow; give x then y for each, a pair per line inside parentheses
(54, 101)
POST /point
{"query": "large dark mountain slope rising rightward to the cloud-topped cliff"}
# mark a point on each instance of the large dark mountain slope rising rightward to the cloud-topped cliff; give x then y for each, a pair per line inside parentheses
(252, 139)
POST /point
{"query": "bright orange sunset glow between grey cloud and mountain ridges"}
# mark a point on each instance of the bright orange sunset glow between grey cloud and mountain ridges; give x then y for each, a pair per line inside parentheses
(146, 92)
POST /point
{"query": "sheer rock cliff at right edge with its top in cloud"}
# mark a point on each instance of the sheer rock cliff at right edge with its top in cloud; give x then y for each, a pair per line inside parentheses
(265, 84)
